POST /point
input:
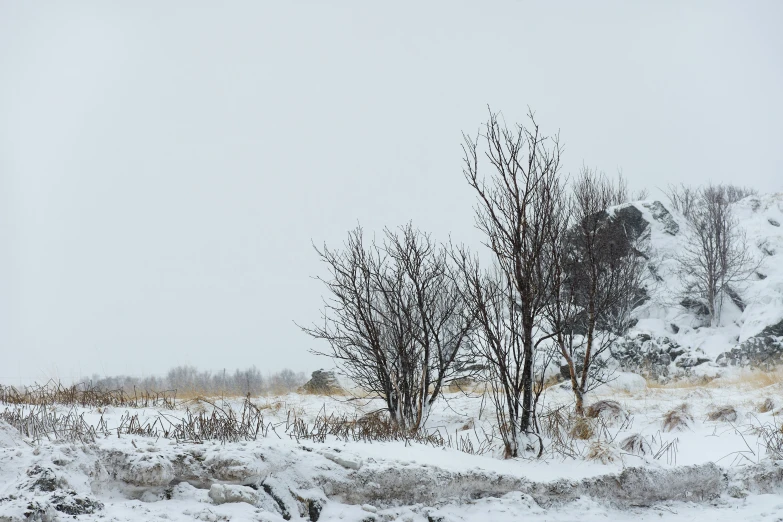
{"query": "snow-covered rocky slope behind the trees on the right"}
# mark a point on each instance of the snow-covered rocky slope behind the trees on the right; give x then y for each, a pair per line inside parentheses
(672, 339)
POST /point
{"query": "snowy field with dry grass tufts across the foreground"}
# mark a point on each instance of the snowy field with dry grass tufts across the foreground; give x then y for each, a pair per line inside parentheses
(703, 469)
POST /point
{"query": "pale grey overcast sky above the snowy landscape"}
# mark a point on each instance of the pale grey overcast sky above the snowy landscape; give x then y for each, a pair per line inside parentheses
(164, 166)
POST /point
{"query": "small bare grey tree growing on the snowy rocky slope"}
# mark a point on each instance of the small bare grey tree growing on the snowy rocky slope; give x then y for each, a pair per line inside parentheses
(716, 254)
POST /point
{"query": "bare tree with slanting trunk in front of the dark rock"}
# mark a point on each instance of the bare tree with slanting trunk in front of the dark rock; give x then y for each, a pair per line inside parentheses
(600, 271)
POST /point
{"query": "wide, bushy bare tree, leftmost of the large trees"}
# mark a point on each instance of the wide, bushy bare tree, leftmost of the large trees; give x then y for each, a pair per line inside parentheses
(395, 320)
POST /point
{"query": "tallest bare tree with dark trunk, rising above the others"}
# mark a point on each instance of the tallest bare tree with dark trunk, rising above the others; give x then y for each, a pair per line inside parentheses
(518, 212)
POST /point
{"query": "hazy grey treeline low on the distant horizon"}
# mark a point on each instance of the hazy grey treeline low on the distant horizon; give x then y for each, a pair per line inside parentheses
(188, 379)
